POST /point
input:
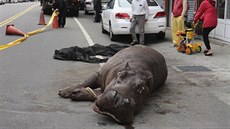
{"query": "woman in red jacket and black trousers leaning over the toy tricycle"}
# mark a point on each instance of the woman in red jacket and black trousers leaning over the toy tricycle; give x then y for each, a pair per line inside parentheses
(207, 13)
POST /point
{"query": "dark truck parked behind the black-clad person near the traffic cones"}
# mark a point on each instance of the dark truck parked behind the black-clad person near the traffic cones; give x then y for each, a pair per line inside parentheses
(72, 7)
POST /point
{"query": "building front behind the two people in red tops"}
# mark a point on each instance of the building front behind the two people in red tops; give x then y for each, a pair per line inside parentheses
(222, 30)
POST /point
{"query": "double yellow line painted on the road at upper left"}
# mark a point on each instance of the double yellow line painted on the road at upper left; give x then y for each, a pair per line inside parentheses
(17, 15)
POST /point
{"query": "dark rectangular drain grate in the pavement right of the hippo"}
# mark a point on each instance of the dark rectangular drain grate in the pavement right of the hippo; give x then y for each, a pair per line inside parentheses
(193, 68)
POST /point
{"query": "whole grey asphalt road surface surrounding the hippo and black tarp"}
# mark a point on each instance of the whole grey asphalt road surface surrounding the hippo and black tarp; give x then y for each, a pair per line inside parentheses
(30, 79)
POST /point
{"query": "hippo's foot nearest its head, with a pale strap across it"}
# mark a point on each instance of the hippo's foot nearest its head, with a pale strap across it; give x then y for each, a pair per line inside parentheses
(83, 94)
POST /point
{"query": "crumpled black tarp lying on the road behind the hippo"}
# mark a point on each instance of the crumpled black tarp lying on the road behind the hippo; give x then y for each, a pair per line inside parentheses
(87, 54)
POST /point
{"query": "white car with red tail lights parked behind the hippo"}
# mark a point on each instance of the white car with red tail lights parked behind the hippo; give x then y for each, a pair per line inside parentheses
(116, 19)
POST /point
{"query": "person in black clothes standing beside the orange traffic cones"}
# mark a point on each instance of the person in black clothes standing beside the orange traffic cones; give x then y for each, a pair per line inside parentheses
(61, 6)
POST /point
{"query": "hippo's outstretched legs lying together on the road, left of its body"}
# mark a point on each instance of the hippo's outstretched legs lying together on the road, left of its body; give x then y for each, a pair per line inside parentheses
(79, 92)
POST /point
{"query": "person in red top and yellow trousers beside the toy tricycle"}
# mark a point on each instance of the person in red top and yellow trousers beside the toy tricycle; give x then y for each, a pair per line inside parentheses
(180, 8)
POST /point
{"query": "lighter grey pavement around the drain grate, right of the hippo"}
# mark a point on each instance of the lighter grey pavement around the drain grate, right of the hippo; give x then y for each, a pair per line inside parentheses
(217, 79)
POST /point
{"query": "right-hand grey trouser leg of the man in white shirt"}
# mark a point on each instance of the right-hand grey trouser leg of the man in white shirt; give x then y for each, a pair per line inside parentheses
(141, 25)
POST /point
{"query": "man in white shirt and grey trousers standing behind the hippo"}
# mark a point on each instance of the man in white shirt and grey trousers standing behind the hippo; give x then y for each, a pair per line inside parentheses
(140, 12)
